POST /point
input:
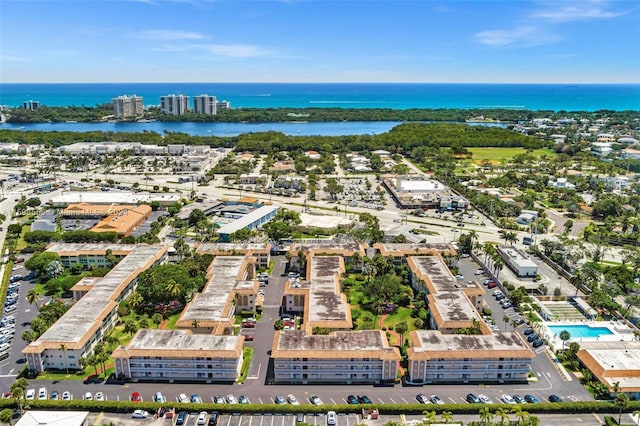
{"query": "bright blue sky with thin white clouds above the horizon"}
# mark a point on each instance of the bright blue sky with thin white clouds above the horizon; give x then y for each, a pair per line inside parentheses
(320, 41)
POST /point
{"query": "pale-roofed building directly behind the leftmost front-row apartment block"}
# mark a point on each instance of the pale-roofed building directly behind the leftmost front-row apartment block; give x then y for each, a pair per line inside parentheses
(231, 288)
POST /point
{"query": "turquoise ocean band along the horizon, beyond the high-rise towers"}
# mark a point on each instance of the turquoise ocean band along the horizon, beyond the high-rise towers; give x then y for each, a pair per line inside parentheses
(556, 97)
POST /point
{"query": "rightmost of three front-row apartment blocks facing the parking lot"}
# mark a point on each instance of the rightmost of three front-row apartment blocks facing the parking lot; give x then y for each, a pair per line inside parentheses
(435, 357)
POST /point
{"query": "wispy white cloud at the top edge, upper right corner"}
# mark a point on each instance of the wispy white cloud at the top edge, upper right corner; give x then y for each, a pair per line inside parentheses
(576, 11)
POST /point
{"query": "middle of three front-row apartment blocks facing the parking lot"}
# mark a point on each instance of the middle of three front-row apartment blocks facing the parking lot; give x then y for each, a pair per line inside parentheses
(342, 357)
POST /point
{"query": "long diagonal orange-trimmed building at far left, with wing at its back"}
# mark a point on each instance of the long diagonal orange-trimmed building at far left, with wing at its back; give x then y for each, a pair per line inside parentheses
(77, 332)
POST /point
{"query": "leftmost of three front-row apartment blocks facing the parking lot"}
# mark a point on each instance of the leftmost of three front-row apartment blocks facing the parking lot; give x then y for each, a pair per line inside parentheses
(180, 355)
